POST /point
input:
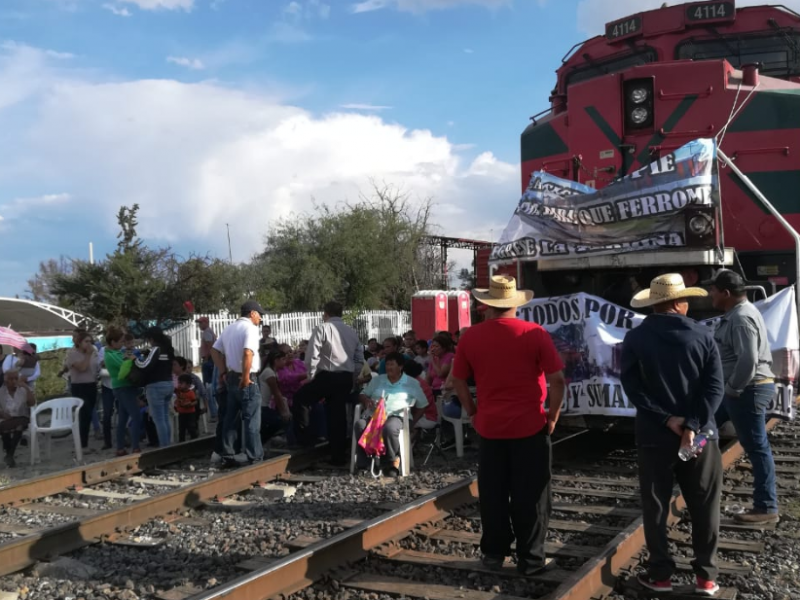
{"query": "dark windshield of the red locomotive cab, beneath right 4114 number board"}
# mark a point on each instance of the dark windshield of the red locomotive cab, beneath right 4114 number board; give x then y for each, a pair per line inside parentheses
(778, 52)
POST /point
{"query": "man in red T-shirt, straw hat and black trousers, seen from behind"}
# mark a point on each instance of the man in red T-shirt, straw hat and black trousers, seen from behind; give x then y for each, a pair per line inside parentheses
(512, 361)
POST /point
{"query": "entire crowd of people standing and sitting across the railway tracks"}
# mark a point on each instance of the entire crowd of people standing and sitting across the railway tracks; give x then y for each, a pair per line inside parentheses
(684, 378)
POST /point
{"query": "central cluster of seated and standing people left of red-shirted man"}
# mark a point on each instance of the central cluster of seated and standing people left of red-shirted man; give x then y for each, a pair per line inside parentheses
(267, 391)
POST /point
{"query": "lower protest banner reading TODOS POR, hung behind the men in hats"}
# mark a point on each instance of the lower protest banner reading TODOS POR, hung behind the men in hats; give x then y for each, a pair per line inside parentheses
(588, 333)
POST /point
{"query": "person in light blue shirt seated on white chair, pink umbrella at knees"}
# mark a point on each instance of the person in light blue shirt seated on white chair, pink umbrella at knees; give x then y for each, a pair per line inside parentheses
(400, 392)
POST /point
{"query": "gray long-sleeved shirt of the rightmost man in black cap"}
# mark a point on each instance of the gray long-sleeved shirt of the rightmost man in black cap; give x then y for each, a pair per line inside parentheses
(744, 348)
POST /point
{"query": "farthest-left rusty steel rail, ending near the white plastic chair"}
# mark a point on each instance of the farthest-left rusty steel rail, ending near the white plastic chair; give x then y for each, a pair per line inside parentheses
(54, 483)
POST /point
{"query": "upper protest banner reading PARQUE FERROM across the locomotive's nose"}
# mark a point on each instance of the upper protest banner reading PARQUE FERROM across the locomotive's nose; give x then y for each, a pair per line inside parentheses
(649, 209)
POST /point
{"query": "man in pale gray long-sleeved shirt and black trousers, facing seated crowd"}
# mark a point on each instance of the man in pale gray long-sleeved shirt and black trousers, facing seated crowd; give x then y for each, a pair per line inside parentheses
(334, 358)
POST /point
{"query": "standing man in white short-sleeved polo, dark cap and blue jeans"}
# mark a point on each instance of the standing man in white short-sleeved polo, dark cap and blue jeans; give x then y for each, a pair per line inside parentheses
(235, 354)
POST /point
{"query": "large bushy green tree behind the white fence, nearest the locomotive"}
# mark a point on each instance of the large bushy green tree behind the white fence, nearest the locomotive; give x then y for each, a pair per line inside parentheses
(366, 254)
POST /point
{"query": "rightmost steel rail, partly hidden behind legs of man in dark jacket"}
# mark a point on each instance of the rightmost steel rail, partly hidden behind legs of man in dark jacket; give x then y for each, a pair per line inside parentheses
(599, 575)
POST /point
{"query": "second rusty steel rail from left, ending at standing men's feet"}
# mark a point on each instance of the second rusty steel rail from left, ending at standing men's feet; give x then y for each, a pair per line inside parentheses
(21, 553)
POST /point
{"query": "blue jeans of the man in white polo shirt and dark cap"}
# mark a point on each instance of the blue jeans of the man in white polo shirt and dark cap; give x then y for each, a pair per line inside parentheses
(246, 401)
